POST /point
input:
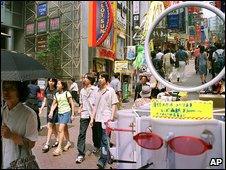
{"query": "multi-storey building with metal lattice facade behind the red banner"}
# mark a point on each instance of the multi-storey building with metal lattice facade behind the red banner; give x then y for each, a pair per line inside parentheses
(56, 34)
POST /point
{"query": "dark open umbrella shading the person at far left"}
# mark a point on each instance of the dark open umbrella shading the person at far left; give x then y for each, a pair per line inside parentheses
(17, 66)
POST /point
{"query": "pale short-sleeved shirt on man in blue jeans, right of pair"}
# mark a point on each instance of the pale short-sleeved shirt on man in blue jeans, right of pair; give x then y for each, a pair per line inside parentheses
(104, 101)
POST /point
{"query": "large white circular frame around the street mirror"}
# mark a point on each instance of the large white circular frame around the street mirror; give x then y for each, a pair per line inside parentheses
(148, 55)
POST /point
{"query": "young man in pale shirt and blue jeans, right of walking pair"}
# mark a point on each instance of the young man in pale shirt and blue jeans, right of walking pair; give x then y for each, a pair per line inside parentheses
(104, 110)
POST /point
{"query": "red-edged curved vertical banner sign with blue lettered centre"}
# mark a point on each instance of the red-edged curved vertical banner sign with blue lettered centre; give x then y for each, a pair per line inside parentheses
(100, 22)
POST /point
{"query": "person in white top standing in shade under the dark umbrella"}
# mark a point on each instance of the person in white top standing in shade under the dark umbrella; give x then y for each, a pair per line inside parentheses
(19, 125)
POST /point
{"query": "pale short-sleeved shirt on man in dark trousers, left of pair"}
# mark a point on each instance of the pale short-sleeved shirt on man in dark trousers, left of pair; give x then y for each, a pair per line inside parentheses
(87, 99)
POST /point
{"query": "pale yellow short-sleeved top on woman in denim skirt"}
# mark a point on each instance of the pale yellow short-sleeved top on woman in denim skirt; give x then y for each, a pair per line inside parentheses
(62, 102)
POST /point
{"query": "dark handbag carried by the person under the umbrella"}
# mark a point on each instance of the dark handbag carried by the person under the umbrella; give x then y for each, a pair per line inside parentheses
(28, 162)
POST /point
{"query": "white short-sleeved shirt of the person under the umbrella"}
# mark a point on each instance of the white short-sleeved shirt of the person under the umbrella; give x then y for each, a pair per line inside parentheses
(23, 121)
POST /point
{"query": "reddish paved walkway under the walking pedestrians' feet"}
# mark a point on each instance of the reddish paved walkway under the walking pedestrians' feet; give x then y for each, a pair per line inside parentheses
(67, 159)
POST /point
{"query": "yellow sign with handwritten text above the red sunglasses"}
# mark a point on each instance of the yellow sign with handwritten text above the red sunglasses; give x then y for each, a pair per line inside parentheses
(183, 110)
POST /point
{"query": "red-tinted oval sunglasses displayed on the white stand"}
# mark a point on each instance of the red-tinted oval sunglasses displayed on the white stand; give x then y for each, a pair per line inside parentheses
(186, 145)
